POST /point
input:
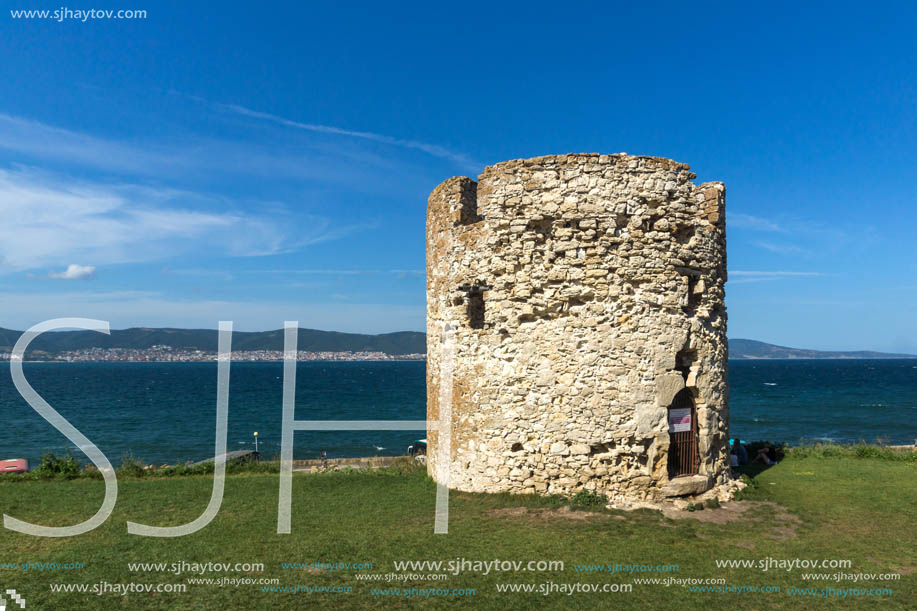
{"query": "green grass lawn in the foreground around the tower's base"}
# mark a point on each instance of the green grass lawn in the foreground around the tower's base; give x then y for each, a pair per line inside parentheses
(840, 508)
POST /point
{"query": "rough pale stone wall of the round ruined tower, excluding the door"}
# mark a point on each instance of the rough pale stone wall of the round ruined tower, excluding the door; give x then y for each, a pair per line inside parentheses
(586, 291)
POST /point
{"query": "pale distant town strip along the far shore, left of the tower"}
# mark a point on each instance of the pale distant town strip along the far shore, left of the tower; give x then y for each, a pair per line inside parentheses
(168, 354)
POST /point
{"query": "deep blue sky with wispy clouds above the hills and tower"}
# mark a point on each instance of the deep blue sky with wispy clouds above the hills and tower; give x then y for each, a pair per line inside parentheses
(233, 161)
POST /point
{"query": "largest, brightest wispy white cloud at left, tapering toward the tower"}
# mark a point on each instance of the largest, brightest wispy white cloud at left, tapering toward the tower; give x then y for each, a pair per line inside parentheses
(49, 220)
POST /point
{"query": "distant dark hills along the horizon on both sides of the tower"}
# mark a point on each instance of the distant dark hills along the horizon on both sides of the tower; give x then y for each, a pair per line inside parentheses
(311, 340)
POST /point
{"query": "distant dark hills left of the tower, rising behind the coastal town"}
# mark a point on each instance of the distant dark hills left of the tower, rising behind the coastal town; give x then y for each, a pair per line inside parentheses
(310, 340)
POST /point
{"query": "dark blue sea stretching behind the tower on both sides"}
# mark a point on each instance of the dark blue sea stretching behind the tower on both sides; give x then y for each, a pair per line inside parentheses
(165, 412)
